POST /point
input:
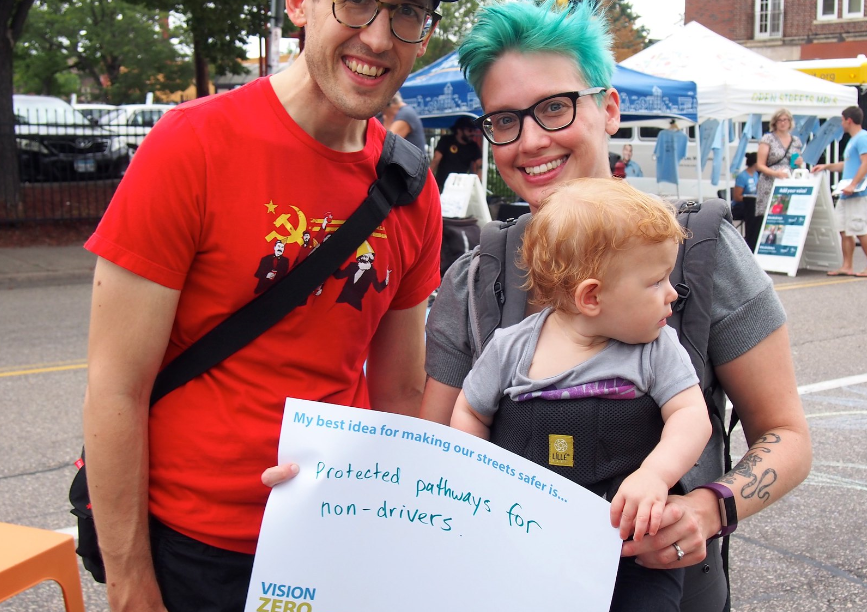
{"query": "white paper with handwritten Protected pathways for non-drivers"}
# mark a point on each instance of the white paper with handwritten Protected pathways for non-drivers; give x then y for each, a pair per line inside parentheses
(391, 513)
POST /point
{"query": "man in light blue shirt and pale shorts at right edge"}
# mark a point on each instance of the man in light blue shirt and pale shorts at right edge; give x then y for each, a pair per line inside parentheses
(850, 214)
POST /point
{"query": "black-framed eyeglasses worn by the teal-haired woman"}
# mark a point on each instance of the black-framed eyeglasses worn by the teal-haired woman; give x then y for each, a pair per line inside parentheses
(553, 113)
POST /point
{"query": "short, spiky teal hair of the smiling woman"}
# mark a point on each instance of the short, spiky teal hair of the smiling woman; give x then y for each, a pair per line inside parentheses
(578, 31)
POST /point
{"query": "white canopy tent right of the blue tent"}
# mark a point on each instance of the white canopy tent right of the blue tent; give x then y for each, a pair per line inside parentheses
(733, 82)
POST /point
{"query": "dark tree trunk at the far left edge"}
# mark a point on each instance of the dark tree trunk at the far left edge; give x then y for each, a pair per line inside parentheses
(13, 15)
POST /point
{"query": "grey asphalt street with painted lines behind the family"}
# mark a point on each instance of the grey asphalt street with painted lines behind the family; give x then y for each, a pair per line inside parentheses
(805, 553)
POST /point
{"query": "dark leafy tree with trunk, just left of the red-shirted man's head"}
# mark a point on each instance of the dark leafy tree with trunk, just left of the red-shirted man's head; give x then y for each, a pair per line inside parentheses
(219, 31)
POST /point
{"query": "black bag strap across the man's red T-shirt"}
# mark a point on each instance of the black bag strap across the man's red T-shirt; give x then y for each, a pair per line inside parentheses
(400, 178)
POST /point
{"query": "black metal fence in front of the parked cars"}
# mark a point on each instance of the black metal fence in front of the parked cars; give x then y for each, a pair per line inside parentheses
(67, 165)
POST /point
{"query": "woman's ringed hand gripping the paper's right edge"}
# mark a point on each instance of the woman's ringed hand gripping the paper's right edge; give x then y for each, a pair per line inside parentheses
(687, 521)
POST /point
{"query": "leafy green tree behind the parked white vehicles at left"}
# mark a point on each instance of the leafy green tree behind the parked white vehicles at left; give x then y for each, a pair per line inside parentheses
(125, 49)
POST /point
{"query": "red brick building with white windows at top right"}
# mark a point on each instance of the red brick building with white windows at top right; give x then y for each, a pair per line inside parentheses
(786, 30)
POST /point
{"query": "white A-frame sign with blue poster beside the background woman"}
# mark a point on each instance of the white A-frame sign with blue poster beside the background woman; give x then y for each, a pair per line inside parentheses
(798, 228)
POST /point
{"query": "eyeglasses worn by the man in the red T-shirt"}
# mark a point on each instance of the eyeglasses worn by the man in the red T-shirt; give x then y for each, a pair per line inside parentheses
(410, 23)
